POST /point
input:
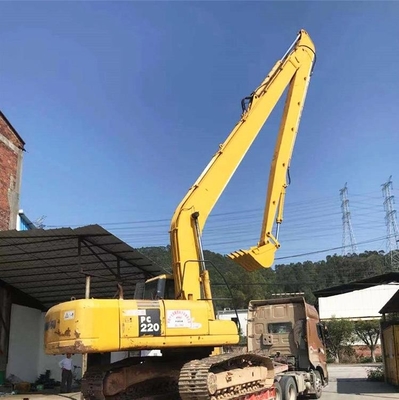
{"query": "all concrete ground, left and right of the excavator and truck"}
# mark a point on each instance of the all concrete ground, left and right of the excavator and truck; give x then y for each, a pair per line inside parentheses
(347, 382)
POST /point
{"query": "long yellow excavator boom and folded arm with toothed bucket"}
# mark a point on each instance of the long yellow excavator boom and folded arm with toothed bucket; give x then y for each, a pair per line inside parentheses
(292, 71)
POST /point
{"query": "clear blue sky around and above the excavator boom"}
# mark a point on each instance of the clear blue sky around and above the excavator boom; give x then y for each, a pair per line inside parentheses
(122, 104)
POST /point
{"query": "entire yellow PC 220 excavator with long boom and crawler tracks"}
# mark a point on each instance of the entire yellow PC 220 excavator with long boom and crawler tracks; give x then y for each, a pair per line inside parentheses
(175, 313)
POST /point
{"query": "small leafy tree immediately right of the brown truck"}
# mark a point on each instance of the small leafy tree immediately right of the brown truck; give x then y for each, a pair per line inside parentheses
(339, 337)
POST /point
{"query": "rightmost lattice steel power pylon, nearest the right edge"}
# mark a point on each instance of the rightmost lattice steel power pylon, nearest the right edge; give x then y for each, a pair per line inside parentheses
(392, 250)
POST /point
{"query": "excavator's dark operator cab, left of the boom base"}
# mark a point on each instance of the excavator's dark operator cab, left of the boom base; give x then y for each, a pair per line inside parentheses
(160, 287)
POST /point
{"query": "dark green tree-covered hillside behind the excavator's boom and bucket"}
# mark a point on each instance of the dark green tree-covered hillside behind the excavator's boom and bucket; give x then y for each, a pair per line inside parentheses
(304, 277)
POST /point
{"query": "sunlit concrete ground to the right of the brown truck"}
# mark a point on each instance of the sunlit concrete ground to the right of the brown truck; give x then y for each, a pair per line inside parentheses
(349, 382)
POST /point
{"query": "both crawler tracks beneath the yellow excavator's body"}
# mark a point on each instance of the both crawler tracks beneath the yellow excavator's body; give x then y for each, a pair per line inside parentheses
(226, 376)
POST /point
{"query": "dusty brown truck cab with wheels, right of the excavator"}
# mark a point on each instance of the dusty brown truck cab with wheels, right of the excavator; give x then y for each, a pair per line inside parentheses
(289, 331)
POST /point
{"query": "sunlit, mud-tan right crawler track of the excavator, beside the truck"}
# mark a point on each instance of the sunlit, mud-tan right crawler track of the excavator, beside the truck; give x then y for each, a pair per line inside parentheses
(199, 378)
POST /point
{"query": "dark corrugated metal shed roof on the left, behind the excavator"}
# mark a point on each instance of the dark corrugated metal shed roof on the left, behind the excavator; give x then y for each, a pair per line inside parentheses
(51, 265)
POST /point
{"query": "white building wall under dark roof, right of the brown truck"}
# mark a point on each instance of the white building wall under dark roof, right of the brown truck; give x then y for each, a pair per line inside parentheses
(358, 304)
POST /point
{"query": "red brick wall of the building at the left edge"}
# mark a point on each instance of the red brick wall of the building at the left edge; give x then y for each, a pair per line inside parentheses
(10, 149)
